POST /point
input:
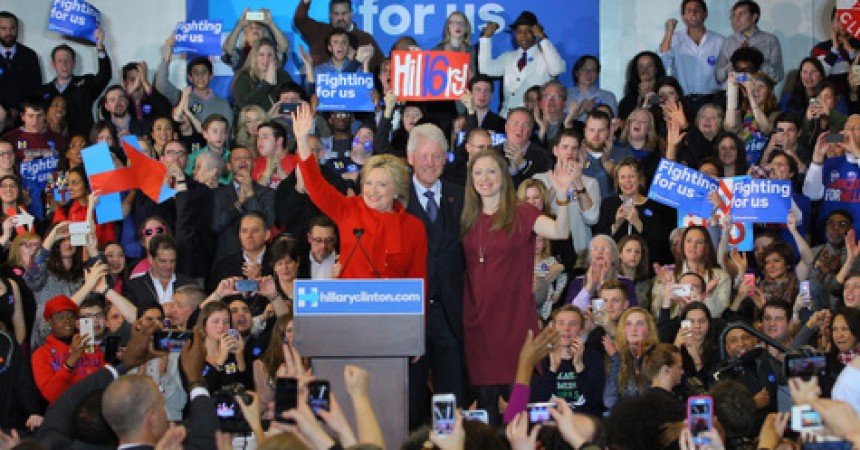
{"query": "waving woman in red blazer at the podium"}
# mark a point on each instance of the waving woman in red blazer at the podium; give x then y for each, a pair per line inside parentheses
(379, 239)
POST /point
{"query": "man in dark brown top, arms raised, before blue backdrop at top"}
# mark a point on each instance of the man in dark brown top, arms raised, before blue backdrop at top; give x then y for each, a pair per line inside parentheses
(315, 33)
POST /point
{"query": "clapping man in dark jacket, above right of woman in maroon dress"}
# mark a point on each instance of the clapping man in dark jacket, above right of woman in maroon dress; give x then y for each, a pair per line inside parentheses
(525, 157)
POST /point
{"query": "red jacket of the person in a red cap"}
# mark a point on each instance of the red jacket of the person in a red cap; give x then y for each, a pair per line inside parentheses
(51, 377)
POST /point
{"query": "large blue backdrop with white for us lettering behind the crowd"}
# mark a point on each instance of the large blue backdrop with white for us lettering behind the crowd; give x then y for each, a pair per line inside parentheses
(572, 26)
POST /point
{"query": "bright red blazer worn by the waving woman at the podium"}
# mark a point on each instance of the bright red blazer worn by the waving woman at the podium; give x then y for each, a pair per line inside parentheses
(396, 242)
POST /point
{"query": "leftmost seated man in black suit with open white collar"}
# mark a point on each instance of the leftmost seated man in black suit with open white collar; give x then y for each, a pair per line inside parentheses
(157, 285)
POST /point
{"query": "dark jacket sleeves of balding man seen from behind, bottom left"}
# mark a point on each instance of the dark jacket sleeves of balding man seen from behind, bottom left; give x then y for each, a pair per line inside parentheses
(56, 429)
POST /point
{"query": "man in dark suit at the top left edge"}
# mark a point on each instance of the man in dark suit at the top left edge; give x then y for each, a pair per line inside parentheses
(20, 73)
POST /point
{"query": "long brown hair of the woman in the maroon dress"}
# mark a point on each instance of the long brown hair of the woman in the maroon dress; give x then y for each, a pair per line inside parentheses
(503, 219)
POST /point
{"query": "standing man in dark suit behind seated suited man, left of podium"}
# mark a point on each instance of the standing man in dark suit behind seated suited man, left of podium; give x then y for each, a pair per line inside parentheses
(233, 200)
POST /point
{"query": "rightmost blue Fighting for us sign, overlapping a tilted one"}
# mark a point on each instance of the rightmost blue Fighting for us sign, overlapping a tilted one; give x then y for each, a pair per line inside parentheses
(761, 200)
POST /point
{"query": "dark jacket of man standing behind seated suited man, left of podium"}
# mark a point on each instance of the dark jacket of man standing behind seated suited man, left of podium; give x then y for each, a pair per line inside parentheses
(226, 217)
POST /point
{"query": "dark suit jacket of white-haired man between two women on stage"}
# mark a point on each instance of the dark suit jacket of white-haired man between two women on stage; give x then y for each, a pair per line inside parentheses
(445, 264)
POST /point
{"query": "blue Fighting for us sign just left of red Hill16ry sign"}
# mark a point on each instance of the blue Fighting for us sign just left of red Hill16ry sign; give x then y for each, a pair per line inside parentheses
(339, 91)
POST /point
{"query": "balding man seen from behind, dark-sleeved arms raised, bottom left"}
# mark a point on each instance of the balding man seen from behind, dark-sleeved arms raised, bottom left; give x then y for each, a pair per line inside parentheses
(132, 404)
